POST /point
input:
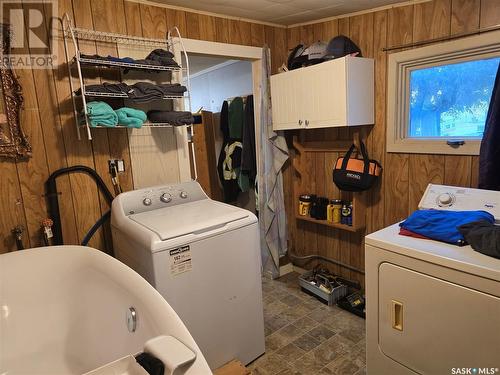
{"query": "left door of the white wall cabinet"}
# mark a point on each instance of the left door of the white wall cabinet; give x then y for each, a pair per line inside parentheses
(285, 100)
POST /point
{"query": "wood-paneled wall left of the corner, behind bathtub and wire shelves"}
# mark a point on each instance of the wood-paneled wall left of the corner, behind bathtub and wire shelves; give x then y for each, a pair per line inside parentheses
(48, 120)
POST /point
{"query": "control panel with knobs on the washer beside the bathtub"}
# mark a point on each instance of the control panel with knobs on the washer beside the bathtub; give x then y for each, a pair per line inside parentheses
(158, 197)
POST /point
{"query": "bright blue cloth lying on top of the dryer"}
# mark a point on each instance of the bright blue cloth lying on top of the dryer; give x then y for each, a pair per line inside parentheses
(443, 225)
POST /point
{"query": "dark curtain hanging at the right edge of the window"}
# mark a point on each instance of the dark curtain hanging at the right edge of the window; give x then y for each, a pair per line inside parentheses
(489, 155)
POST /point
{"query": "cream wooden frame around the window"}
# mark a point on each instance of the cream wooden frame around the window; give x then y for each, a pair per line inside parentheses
(400, 64)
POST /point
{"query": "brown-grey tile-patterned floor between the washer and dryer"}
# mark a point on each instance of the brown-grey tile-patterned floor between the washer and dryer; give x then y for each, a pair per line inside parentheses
(304, 336)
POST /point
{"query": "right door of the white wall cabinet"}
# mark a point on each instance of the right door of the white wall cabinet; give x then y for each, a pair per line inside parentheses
(326, 103)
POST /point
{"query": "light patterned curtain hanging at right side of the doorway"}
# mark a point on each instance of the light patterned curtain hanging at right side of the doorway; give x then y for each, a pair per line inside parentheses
(273, 155)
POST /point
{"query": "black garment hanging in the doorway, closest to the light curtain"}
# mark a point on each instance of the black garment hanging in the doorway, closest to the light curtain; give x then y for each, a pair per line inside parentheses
(248, 157)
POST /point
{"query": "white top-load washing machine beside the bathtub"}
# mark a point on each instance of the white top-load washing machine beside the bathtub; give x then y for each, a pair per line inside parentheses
(203, 256)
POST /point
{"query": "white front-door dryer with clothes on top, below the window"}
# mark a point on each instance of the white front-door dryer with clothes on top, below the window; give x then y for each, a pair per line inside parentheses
(433, 308)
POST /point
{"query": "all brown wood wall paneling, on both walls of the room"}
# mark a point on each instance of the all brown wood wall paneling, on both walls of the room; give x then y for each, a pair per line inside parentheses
(47, 119)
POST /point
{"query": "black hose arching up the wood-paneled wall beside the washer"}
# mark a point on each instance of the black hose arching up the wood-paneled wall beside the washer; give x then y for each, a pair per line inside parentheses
(53, 200)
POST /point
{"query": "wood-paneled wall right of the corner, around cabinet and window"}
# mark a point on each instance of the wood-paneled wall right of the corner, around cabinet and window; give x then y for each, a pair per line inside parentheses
(405, 176)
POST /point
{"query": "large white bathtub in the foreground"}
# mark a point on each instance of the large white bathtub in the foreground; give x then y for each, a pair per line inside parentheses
(63, 311)
